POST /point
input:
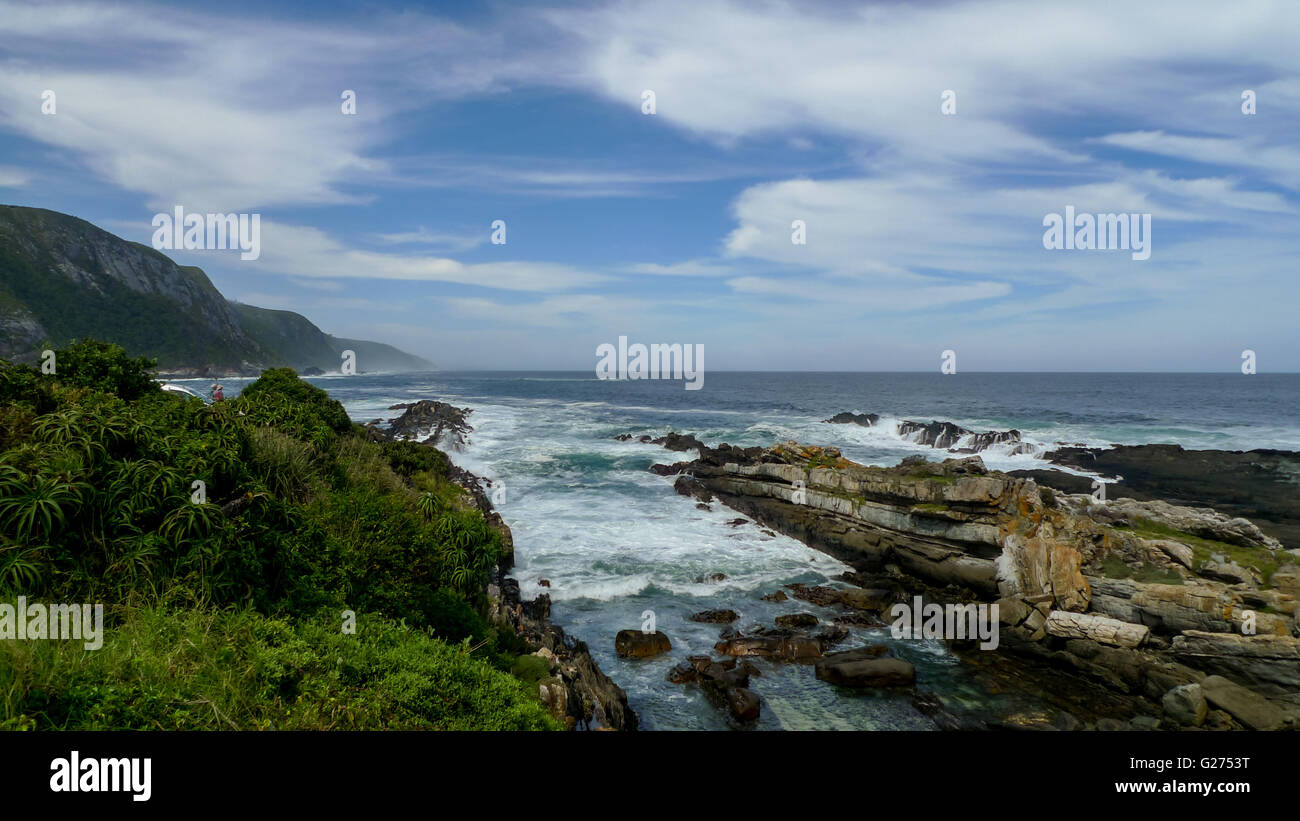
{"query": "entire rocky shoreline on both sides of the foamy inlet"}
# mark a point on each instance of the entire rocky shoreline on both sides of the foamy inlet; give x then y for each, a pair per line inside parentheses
(1128, 614)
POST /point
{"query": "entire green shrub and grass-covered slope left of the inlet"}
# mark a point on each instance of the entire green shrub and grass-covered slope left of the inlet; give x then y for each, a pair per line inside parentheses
(227, 611)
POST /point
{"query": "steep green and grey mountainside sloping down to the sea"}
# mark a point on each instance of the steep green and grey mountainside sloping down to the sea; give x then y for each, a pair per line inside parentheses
(63, 279)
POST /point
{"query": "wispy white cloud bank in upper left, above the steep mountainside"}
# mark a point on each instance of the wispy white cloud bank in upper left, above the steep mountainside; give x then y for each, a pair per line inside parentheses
(223, 114)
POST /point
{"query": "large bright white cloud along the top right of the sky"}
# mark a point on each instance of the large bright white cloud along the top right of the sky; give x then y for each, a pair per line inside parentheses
(876, 73)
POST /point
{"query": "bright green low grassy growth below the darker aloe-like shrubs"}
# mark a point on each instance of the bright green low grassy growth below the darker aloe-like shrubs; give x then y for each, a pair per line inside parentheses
(242, 671)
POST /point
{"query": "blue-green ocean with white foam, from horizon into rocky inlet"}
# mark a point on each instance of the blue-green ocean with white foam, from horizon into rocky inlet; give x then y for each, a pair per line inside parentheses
(616, 541)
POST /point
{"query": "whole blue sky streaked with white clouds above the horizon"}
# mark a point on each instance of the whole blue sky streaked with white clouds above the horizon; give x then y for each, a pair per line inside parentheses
(924, 228)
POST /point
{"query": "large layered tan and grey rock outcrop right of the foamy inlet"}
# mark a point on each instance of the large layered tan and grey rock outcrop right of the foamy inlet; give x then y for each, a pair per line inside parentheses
(1132, 614)
